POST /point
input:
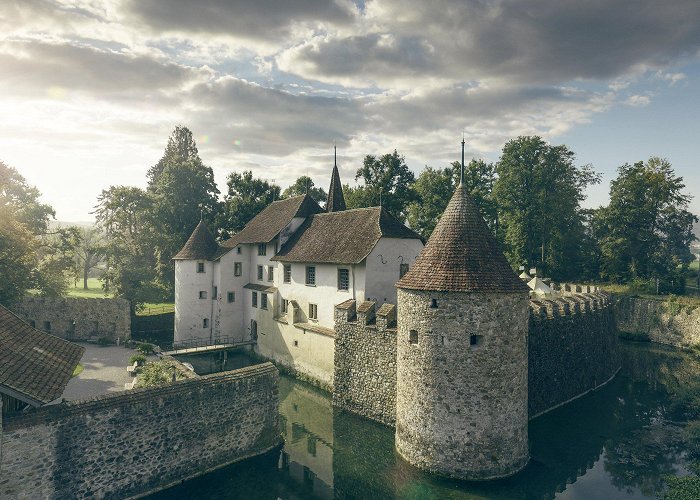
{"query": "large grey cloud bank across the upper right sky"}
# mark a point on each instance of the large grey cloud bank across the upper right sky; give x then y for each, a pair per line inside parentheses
(538, 41)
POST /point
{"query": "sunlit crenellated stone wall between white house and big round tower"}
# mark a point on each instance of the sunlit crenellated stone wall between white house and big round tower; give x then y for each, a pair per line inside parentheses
(365, 360)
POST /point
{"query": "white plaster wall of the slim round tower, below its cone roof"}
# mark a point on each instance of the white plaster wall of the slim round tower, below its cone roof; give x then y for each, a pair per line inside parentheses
(190, 310)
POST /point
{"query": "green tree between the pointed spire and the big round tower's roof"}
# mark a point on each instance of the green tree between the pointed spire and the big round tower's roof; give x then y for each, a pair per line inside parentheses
(386, 181)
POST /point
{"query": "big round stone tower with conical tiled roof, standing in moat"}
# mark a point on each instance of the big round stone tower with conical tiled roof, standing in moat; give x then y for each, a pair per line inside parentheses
(461, 388)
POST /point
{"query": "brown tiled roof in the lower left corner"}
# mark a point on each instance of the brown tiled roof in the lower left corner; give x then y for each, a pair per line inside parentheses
(34, 365)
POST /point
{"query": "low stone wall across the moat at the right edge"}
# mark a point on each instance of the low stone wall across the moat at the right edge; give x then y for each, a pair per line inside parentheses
(664, 322)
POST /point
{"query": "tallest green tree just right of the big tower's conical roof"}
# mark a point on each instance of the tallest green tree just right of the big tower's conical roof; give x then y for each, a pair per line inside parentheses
(539, 191)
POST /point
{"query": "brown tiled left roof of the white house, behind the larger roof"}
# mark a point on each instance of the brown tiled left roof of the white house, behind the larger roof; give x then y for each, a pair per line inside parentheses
(274, 218)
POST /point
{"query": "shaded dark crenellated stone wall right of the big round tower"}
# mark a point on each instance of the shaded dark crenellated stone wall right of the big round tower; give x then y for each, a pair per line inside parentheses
(573, 349)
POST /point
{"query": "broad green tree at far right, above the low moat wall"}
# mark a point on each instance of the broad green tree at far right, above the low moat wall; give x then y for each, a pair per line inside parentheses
(646, 230)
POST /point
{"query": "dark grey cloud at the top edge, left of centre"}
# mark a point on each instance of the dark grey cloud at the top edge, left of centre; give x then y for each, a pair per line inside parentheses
(261, 19)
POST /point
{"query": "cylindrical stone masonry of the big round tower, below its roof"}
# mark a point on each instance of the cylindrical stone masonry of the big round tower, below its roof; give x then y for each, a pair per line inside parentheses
(461, 399)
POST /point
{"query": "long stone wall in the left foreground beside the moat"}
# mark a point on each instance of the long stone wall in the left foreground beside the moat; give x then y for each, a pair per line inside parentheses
(132, 443)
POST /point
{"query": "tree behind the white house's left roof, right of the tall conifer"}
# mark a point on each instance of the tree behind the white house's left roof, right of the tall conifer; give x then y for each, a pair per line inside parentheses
(246, 197)
